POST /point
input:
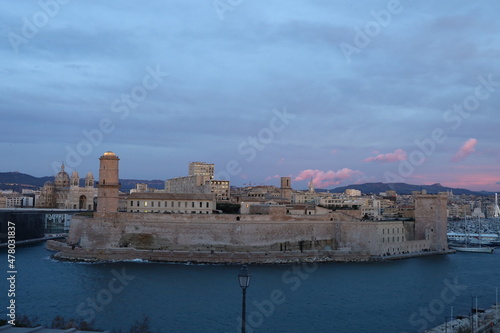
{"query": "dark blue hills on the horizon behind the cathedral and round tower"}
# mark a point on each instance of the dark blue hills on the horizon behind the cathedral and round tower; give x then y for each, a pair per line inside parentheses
(18, 181)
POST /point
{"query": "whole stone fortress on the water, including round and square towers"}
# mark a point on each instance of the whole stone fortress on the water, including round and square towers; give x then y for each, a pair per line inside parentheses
(267, 234)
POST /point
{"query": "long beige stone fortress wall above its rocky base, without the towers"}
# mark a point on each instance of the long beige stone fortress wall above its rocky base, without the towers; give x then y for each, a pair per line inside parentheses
(233, 233)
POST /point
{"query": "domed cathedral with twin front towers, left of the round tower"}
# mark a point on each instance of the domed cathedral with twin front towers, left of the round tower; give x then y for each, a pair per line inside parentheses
(65, 192)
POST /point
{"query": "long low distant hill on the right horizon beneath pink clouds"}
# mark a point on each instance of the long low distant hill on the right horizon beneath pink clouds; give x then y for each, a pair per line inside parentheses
(403, 188)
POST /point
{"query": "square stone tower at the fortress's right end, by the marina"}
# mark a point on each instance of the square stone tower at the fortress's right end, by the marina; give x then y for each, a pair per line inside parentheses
(431, 220)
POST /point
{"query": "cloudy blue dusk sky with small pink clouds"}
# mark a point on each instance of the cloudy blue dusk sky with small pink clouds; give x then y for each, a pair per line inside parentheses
(340, 92)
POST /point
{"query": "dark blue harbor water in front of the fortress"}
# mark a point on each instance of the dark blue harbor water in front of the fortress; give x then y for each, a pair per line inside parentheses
(395, 296)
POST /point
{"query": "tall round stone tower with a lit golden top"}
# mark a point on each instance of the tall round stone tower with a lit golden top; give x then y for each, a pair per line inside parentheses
(108, 188)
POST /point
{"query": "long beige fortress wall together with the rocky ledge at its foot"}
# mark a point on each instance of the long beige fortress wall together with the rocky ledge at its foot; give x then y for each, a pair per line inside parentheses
(339, 236)
